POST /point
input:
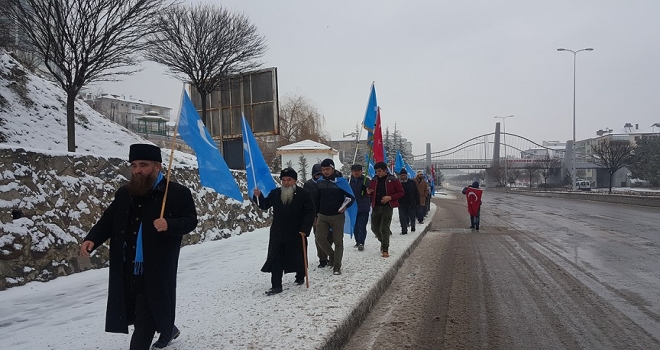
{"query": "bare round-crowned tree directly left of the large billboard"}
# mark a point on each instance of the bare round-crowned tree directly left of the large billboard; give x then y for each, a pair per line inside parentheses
(203, 44)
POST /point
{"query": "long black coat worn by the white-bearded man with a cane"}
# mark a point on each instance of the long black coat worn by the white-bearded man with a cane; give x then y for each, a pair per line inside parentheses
(288, 222)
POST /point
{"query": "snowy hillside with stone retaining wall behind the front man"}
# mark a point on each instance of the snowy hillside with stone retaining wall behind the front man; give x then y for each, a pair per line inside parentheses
(50, 198)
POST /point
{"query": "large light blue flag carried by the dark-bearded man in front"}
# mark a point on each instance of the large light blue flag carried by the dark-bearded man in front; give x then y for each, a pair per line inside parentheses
(213, 171)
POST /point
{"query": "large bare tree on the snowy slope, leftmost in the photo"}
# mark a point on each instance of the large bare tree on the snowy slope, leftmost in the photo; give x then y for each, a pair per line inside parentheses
(84, 41)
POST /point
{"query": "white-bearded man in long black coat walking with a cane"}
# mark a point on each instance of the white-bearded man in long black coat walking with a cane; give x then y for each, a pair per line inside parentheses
(293, 216)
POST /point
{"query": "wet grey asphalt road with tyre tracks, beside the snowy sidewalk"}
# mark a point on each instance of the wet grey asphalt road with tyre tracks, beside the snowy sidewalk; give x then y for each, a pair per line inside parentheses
(543, 273)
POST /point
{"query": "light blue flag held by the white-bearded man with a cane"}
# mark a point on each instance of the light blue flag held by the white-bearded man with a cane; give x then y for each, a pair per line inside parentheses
(258, 173)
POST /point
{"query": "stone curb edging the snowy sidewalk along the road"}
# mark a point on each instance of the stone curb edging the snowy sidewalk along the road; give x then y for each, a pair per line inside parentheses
(339, 337)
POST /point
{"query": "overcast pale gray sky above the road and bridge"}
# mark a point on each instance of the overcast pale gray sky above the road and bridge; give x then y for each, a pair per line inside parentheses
(444, 69)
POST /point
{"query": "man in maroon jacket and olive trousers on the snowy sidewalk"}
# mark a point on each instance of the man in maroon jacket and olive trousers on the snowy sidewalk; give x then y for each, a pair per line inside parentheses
(385, 191)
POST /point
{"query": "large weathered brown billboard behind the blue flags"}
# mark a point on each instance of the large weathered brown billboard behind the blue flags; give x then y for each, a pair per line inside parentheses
(251, 93)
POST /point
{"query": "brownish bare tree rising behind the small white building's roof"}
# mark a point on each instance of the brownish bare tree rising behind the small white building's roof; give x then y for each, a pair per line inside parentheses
(300, 120)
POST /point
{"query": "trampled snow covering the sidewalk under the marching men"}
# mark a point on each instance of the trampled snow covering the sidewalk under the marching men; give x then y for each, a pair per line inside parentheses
(220, 299)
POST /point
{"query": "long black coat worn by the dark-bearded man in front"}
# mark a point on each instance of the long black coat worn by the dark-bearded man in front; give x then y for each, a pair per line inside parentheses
(160, 251)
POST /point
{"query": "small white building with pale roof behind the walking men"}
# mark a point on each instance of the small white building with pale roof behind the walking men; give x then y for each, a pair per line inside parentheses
(309, 152)
